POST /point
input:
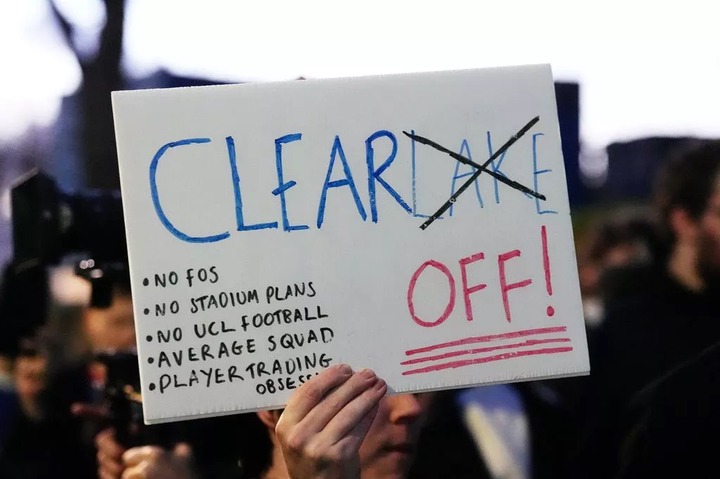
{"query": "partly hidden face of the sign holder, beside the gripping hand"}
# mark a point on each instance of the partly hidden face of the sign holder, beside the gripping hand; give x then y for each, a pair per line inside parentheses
(390, 444)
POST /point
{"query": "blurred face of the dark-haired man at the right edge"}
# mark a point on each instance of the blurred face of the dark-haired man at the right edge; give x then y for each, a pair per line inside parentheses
(708, 243)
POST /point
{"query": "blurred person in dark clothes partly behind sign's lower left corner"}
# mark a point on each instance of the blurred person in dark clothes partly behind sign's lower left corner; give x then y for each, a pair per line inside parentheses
(85, 395)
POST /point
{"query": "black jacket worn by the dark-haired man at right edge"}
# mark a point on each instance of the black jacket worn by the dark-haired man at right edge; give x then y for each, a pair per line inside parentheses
(643, 337)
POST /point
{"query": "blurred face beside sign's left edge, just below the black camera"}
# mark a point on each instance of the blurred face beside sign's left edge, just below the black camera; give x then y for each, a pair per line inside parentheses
(111, 328)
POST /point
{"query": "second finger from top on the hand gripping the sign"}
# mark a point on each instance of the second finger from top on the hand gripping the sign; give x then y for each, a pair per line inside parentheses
(316, 420)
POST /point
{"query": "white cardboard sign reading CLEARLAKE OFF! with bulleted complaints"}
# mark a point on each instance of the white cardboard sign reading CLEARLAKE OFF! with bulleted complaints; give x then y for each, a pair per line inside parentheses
(275, 229)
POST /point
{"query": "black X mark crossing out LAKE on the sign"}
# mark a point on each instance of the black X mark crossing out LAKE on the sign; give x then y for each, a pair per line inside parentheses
(480, 169)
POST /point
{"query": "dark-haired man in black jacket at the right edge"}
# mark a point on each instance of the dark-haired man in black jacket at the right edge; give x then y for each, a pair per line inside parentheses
(671, 319)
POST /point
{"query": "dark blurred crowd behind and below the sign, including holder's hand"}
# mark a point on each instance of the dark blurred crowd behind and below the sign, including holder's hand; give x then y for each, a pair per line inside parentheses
(650, 283)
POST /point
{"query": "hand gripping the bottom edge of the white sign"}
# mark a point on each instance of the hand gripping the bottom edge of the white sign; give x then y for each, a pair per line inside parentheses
(325, 421)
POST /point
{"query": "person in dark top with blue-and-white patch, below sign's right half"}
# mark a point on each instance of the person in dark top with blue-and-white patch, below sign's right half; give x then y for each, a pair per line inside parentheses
(499, 431)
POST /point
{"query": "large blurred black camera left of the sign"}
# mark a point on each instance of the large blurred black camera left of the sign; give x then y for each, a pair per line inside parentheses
(48, 225)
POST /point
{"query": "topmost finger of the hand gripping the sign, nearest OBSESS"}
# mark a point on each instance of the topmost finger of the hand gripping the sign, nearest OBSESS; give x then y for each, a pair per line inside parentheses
(312, 392)
